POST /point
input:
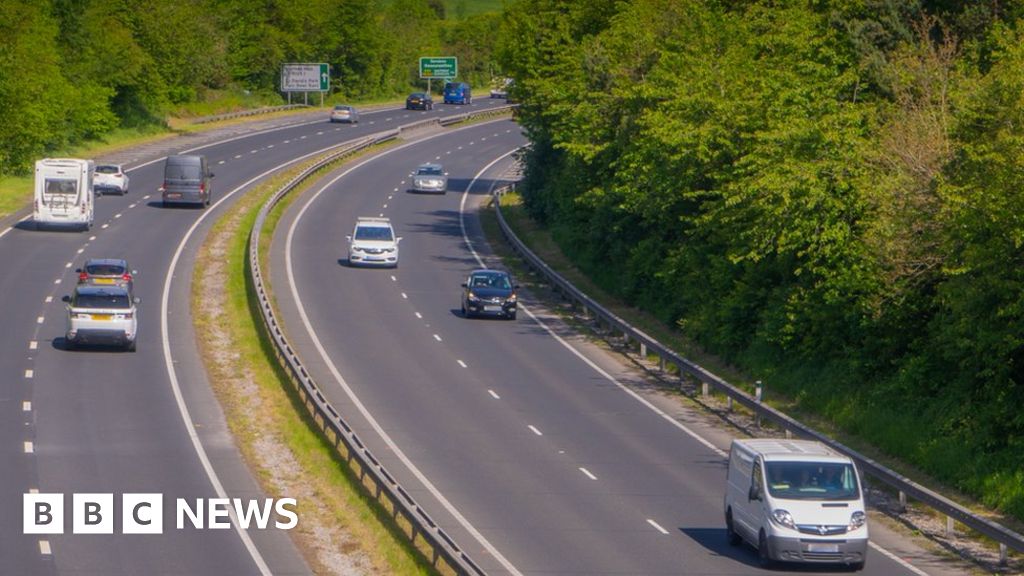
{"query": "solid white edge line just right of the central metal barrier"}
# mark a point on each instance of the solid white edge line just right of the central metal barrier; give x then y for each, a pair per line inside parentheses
(349, 391)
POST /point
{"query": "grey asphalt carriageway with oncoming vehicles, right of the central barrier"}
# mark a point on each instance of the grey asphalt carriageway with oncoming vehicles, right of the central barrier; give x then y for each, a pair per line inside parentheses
(520, 438)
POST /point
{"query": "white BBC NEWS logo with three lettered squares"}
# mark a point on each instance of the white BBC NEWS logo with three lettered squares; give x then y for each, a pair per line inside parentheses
(144, 514)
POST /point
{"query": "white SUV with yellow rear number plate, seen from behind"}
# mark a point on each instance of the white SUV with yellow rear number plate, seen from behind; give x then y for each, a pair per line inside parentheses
(102, 315)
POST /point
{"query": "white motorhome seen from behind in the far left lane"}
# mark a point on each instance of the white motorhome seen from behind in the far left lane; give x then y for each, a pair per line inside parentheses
(64, 193)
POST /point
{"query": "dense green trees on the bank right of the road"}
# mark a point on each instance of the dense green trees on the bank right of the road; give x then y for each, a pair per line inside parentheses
(828, 194)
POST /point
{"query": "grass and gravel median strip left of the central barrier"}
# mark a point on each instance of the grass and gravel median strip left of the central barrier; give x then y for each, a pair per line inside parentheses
(342, 530)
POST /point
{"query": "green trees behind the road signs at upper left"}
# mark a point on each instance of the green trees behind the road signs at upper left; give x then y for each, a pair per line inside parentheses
(72, 70)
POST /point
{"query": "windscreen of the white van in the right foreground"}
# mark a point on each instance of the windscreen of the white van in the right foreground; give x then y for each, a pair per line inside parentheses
(813, 481)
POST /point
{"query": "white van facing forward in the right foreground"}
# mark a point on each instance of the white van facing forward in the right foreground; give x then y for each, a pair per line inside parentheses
(796, 501)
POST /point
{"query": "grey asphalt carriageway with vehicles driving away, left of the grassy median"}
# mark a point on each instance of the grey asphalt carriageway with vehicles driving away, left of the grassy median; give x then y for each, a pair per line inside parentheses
(106, 422)
